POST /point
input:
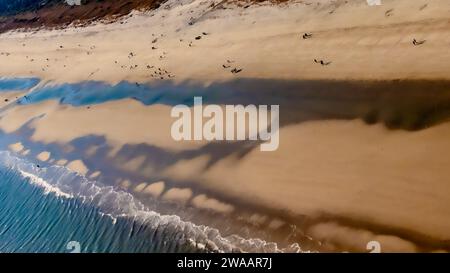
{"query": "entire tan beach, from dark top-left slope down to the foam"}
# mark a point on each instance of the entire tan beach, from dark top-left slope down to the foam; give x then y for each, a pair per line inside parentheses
(364, 136)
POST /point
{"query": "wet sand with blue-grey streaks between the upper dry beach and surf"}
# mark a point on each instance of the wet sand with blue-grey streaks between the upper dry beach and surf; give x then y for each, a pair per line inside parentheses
(365, 178)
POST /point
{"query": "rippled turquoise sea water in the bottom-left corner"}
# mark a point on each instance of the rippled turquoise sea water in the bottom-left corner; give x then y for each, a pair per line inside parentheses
(38, 217)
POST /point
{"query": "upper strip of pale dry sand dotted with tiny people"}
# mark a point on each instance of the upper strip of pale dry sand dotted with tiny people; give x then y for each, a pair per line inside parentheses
(361, 41)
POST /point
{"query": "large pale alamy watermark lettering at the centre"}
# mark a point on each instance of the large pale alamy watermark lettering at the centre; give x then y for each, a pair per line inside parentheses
(227, 123)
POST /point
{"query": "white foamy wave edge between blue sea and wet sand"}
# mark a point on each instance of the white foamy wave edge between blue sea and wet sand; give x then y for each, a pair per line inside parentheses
(117, 203)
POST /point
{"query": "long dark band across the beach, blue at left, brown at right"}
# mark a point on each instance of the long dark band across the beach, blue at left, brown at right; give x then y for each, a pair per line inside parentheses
(402, 104)
